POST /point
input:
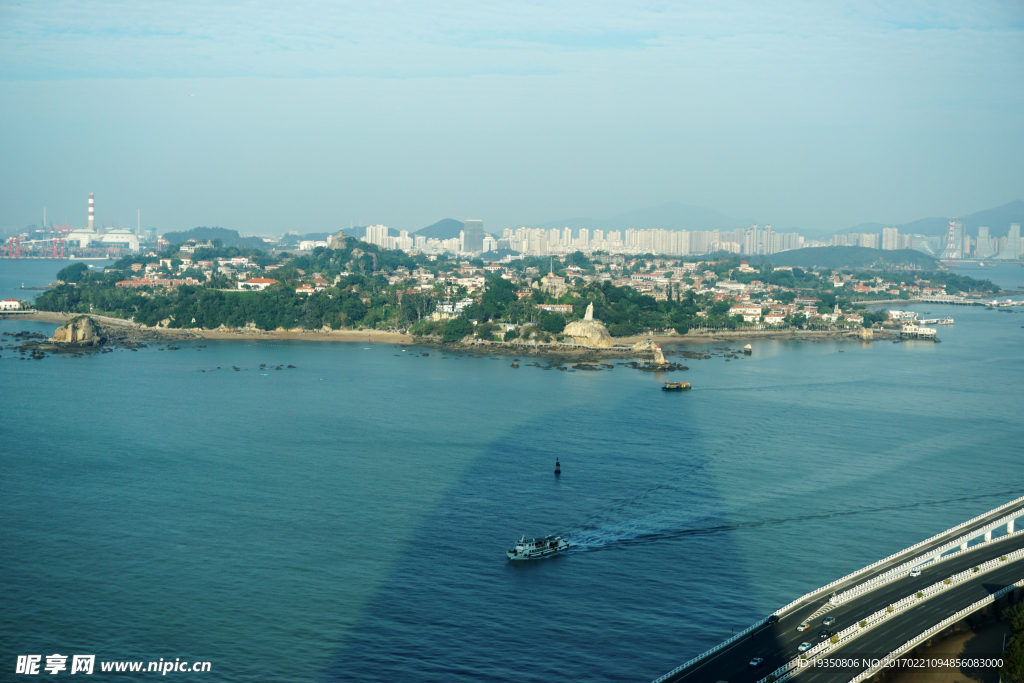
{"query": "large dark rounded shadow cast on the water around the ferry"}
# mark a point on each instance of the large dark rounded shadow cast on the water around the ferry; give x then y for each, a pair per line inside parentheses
(628, 603)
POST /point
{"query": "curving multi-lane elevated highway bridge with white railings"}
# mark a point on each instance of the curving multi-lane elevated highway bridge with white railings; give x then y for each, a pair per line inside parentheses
(879, 610)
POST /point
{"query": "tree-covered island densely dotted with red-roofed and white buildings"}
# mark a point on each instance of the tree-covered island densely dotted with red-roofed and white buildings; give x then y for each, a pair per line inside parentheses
(353, 285)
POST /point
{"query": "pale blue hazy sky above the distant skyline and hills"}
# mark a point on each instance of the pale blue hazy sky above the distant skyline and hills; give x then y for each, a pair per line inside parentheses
(270, 117)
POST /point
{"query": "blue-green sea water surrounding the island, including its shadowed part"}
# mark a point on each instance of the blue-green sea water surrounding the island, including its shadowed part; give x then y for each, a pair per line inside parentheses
(346, 521)
